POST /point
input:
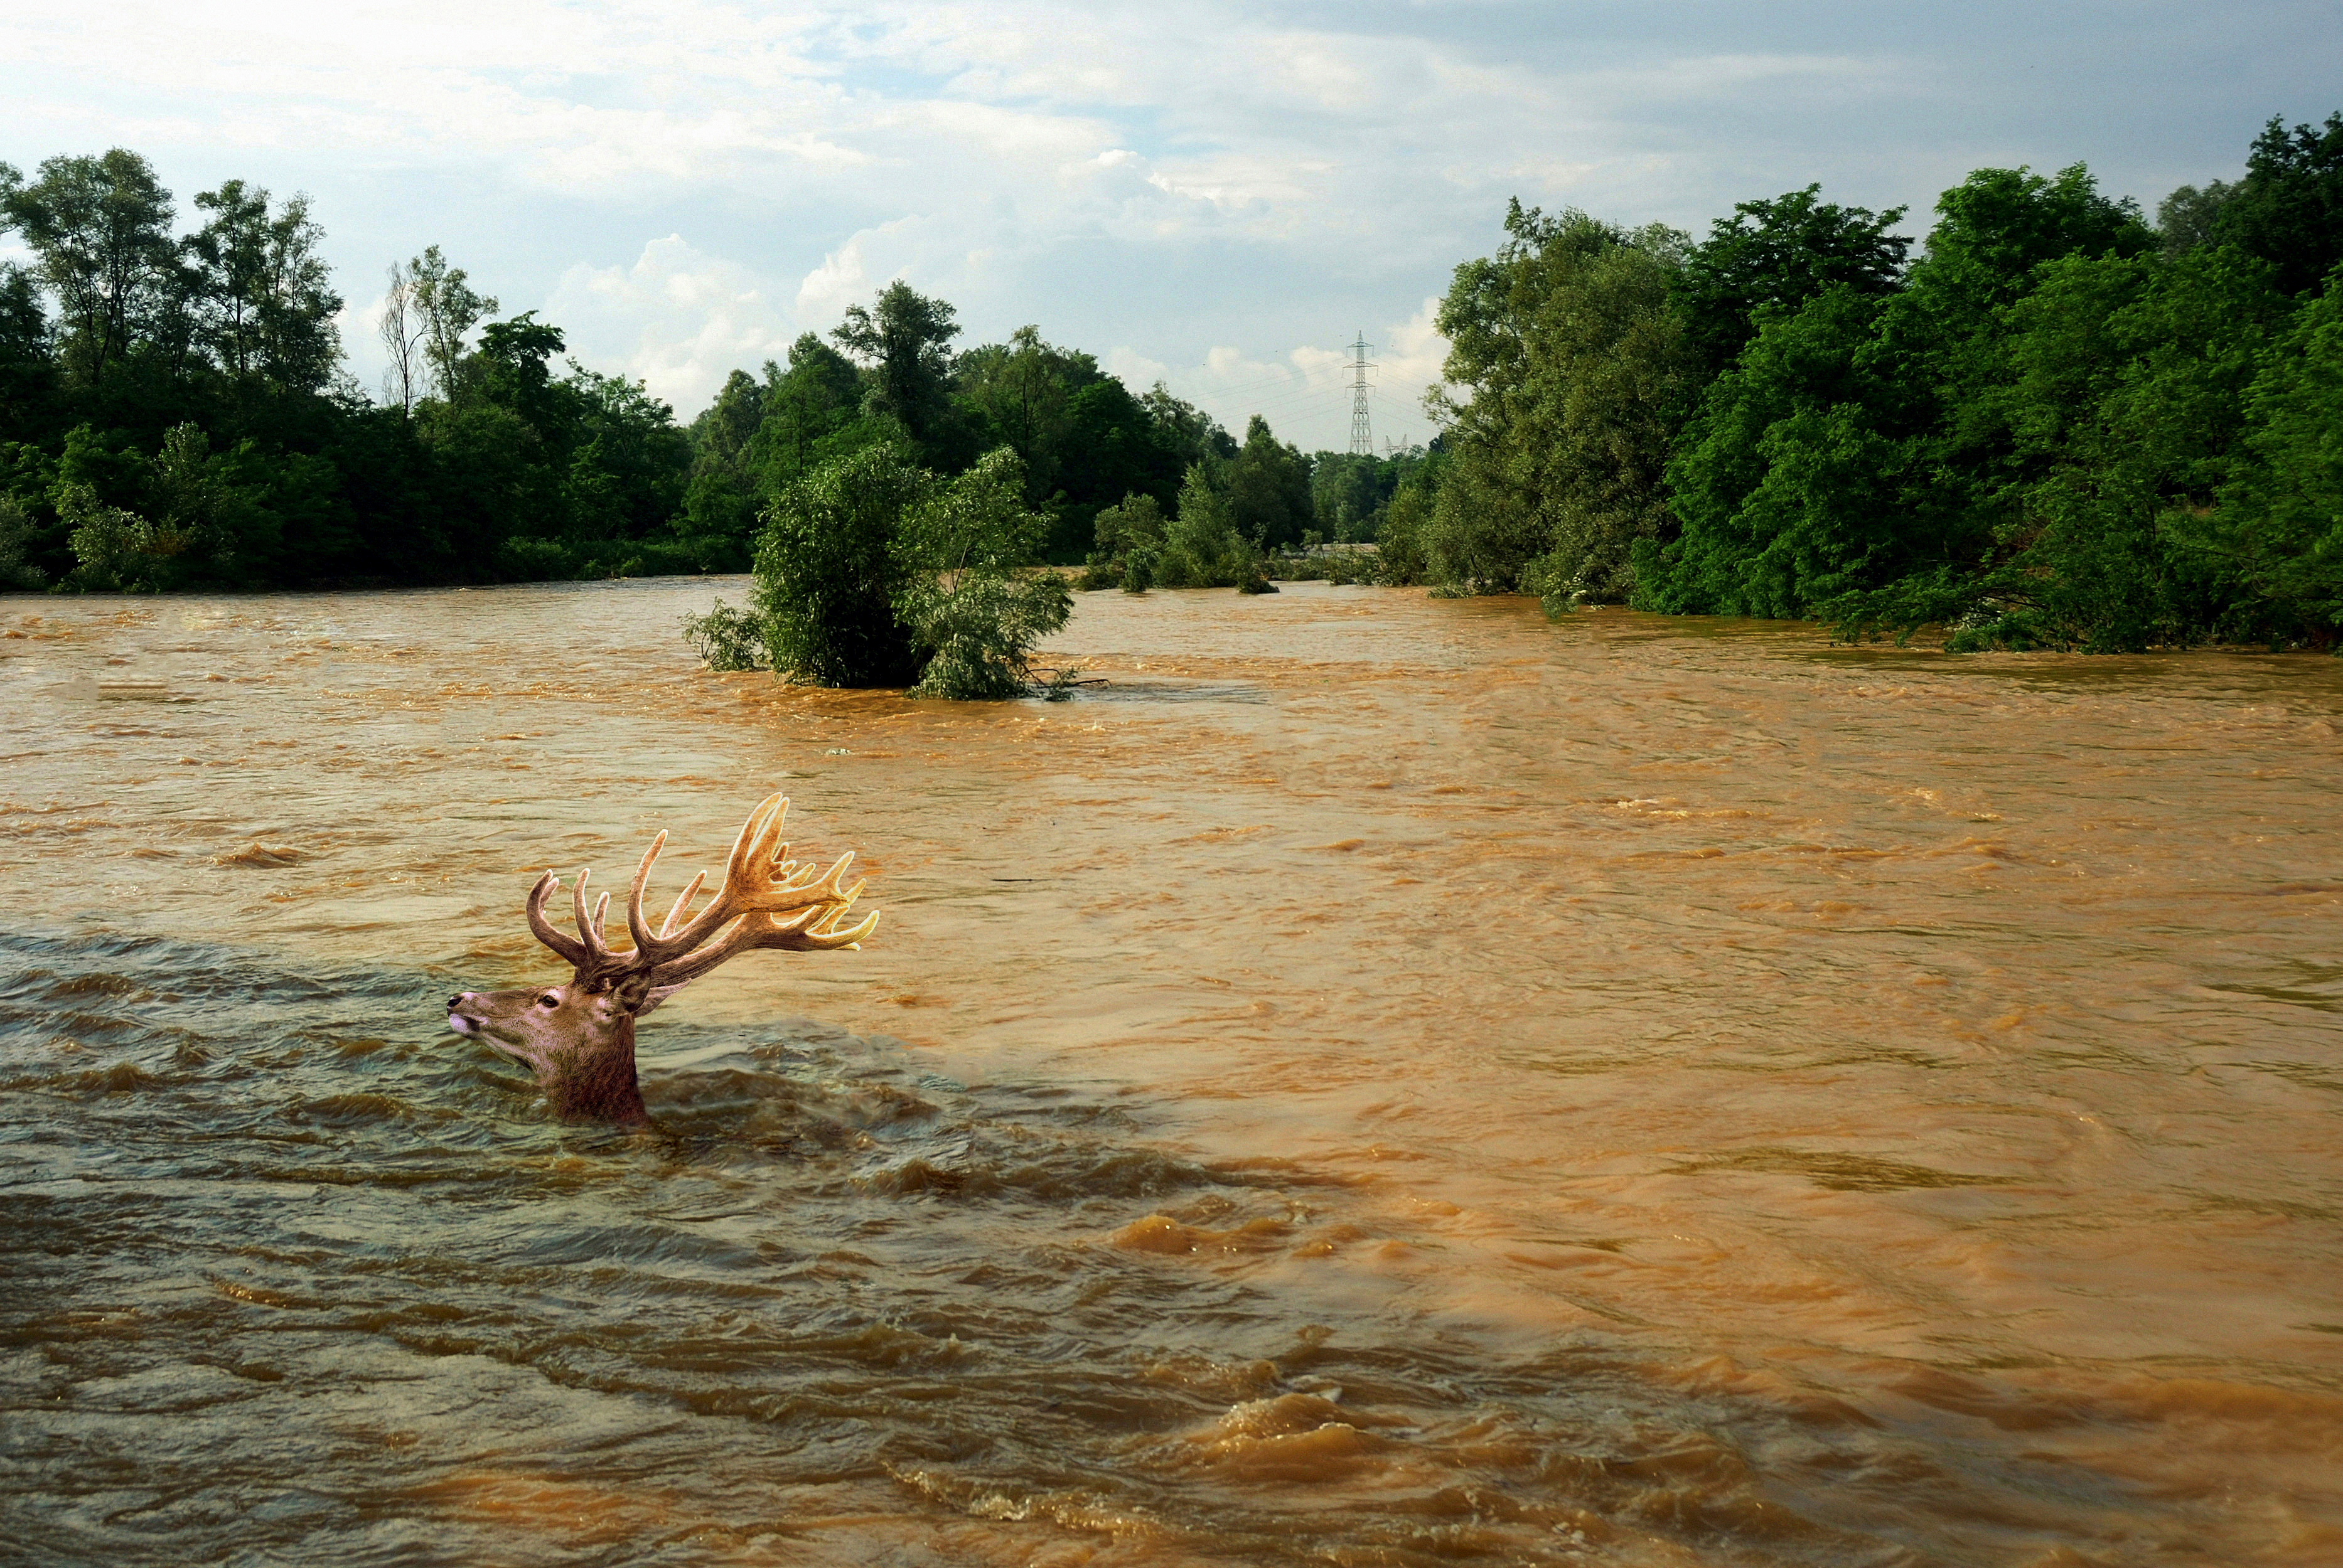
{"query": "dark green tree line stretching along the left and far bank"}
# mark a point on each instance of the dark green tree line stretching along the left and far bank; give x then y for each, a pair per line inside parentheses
(175, 414)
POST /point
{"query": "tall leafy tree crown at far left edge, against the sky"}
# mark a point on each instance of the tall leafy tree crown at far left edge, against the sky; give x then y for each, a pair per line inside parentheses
(102, 231)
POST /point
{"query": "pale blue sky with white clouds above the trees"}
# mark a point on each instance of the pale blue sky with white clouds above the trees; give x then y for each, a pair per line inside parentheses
(1201, 193)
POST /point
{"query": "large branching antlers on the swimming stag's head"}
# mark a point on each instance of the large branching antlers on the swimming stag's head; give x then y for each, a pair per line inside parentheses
(765, 901)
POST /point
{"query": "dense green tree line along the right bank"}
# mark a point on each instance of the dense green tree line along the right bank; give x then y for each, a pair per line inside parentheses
(2058, 425)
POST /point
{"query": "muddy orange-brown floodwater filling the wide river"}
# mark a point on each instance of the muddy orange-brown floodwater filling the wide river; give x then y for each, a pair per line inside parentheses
(1377, 1082)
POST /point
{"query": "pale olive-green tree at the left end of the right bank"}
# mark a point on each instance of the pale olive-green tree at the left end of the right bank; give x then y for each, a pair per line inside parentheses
(1576, 369)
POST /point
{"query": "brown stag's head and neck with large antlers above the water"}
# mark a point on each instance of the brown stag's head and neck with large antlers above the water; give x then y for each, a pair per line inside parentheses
(580, 1037)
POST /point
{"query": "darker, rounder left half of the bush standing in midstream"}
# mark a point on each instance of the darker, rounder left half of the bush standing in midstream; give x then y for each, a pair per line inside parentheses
(831, 575)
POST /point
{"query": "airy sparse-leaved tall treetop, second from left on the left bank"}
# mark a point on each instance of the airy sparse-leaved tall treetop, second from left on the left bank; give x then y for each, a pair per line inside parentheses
(264, 294)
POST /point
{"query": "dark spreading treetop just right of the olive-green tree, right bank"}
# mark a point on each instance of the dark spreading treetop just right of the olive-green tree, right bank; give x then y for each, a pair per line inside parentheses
(1777, 257)
